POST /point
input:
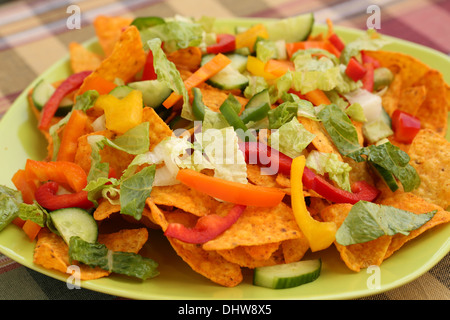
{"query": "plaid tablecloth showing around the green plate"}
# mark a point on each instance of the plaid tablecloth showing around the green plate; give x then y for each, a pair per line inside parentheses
(34, 34)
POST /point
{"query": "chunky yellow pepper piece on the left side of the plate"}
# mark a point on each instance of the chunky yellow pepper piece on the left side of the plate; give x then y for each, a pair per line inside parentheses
(124, 114)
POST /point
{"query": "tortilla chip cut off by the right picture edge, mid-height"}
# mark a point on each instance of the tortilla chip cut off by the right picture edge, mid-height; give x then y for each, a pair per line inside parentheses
(430, 156)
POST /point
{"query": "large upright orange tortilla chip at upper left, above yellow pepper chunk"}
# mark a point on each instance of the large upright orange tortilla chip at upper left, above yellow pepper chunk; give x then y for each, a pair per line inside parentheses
(127, 58)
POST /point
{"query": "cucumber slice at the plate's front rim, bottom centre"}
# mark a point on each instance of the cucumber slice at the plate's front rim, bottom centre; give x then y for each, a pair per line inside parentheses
(287, 275)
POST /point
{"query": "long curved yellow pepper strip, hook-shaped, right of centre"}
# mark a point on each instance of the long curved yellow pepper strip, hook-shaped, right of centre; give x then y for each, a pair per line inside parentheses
(320, 235)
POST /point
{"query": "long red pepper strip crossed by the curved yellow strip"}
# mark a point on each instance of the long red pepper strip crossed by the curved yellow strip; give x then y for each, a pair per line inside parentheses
(258, 153)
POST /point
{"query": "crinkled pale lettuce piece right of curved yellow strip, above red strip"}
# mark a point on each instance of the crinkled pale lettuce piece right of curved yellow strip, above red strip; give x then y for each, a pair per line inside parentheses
(338, 171)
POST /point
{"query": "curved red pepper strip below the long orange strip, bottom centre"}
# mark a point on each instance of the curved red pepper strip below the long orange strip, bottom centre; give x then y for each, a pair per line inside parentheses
(207, 227)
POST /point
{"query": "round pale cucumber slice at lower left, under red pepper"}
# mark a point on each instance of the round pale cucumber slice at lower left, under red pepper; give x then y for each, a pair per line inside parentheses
(75, 222)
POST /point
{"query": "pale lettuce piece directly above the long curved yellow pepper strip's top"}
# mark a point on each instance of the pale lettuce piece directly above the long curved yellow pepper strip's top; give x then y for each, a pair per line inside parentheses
(291, 138)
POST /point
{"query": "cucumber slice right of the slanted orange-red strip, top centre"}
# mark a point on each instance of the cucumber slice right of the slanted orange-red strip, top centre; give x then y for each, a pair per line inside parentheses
(229, 77)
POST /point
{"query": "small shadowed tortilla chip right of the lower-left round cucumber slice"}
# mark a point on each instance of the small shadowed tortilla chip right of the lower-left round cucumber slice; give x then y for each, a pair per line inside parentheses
(125, 240)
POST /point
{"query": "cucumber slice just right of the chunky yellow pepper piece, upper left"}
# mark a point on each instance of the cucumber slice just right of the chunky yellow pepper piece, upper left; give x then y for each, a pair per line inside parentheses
(154, 92)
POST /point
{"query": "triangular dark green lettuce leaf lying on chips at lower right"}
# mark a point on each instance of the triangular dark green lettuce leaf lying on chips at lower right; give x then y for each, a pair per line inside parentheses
(368, 221)
